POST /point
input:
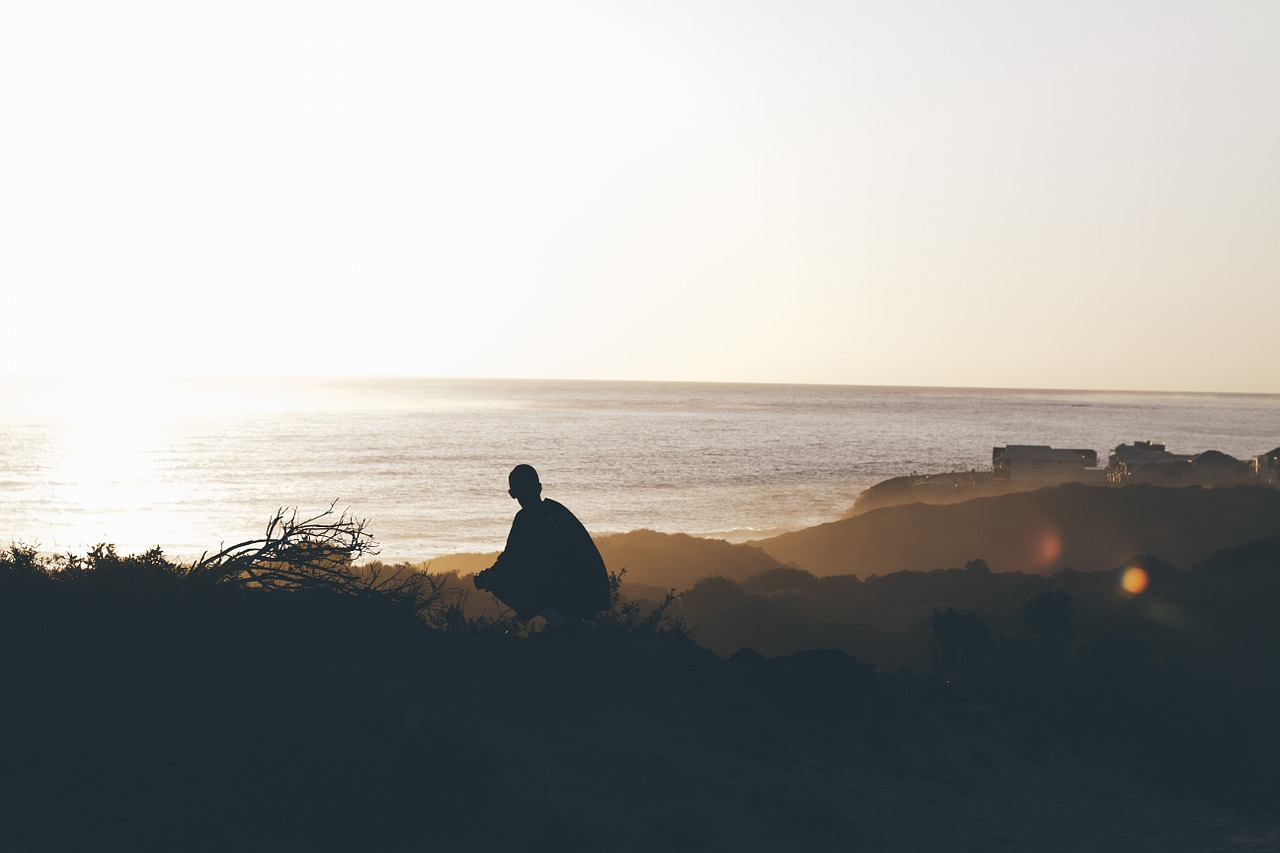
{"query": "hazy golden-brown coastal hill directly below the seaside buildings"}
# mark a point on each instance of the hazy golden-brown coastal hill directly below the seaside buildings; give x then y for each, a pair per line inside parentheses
(1081, 527)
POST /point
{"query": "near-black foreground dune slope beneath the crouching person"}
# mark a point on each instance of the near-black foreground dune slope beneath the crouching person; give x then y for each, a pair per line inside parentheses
(145, 709)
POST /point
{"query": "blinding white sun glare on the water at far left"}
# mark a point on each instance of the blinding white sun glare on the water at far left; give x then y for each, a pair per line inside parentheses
(116, 450)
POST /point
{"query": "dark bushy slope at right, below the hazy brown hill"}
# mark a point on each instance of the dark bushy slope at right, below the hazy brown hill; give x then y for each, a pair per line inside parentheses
(1181, 678)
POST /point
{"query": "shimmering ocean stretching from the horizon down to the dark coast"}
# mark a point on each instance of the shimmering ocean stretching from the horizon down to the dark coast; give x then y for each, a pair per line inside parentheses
(196, 464)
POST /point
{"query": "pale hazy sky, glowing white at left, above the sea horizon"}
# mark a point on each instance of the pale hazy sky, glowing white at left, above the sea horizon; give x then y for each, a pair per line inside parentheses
(1067, 195)
